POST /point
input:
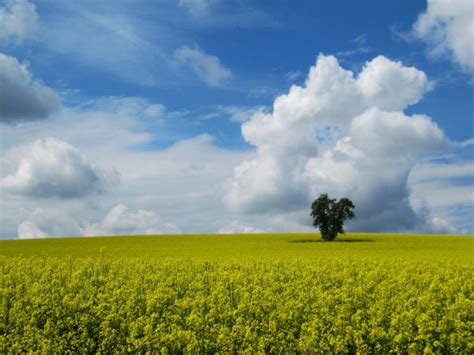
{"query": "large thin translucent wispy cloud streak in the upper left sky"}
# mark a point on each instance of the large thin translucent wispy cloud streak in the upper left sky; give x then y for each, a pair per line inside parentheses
(105, 41)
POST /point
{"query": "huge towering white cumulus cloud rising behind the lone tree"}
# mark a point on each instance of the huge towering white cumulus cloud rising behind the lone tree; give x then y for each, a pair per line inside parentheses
(344, 135)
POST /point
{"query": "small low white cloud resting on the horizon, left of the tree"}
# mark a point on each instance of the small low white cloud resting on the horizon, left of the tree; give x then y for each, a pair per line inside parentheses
(123, 221)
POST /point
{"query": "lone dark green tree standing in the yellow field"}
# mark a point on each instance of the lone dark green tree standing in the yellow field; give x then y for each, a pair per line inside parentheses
(330, 215)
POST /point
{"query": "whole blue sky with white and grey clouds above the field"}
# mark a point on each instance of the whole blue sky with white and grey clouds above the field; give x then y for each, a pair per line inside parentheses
(213, 116)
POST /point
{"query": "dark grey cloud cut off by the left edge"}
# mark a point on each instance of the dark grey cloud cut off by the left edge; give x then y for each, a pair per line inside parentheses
(23, 97)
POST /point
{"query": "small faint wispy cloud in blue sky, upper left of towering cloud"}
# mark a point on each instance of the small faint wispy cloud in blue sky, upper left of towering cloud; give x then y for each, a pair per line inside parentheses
(206, 67)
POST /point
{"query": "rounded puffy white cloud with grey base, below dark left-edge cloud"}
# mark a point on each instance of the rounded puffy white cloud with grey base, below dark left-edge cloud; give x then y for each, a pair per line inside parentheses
(53, 168)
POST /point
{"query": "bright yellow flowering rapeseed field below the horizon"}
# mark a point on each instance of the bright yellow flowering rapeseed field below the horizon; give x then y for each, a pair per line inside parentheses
(267, 293)
